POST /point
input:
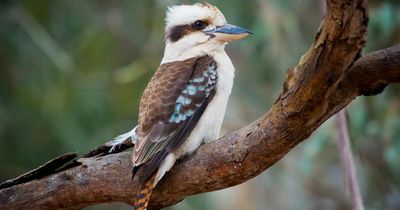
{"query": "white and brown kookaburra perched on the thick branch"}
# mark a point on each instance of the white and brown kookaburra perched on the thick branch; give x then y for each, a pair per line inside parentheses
(184, 103)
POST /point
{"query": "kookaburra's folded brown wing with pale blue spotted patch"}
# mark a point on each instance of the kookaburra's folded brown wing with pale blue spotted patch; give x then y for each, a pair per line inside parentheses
(171, 105)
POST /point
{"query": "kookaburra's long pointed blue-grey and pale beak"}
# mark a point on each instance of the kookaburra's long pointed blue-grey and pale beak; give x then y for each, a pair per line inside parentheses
(228, 32)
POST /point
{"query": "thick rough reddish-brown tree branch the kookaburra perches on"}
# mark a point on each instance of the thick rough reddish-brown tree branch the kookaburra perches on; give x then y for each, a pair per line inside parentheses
(325, 81)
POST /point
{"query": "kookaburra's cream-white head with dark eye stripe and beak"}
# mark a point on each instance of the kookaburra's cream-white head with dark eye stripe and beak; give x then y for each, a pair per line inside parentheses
(193, 30)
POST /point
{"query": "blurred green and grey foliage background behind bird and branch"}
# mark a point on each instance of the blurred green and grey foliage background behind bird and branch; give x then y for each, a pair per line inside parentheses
(72, 73)
